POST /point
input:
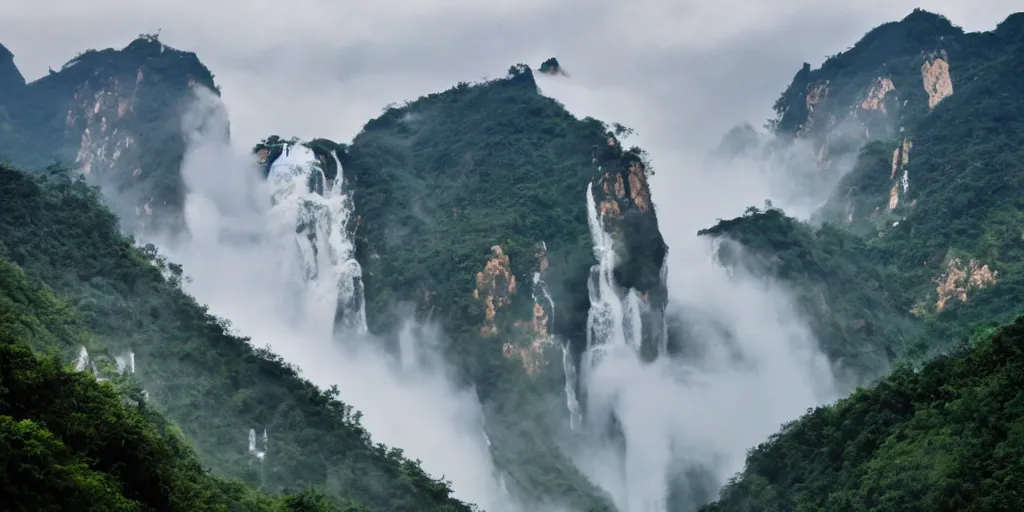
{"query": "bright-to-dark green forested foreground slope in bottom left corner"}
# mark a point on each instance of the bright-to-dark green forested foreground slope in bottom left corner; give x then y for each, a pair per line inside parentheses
(70, 443)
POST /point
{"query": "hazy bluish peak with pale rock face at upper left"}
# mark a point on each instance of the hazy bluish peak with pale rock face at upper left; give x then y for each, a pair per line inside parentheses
(115, 116)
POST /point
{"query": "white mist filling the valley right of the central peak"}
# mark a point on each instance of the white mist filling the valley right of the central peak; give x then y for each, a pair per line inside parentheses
(750, 362)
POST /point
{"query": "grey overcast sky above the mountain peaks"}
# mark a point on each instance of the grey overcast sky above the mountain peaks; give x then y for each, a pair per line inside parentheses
(678, 72)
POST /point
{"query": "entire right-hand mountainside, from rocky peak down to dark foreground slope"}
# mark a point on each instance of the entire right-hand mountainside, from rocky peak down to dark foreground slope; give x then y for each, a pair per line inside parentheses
(920, 243)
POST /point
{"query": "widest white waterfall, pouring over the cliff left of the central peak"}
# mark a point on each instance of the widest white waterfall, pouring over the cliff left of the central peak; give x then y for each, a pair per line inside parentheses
(320, 241)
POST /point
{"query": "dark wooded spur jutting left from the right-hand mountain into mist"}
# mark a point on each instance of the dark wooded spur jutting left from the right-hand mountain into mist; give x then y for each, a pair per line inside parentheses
(855, 309)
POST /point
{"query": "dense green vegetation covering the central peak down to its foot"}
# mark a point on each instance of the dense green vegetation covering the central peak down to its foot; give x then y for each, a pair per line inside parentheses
(437, 184)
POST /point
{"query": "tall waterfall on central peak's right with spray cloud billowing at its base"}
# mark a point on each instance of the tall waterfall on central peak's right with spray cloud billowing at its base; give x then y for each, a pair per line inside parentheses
(757, 367)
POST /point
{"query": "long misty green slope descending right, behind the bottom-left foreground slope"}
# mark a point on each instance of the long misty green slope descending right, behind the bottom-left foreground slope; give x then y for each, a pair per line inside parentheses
(214, 386)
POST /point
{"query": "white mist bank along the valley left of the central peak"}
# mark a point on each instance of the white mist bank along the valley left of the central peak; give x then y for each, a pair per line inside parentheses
(242, 261)
